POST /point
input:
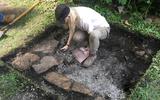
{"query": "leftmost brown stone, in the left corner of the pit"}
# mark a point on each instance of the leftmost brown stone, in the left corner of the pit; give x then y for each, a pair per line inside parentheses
(23, 62)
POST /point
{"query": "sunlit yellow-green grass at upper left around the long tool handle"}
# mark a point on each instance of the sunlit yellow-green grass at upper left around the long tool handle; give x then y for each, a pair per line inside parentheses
(28, 27)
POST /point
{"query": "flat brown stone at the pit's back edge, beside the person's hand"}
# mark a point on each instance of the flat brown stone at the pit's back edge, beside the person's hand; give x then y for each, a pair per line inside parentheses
(46, 46)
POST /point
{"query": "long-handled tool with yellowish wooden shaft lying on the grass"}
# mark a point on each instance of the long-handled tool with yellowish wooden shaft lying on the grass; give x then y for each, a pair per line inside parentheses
(4, 29)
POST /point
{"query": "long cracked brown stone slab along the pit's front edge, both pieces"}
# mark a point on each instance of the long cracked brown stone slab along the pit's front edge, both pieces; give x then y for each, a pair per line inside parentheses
(66, 83)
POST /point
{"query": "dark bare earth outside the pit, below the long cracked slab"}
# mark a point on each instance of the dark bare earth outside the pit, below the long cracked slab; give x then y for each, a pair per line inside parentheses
(30, 92)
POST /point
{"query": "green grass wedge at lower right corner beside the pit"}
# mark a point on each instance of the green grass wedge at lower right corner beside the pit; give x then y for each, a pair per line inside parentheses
(149, 86)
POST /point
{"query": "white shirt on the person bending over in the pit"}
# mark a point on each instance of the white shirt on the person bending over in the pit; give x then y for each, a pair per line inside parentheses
(89, 19)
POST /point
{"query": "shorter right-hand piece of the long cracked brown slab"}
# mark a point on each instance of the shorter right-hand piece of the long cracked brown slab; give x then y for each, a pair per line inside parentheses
(81, 88)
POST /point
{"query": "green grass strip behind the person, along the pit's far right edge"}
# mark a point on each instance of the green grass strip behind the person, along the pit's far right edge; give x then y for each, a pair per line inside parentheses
(135, 22)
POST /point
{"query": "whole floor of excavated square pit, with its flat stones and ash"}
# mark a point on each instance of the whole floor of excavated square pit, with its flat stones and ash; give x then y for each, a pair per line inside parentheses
(122, 59)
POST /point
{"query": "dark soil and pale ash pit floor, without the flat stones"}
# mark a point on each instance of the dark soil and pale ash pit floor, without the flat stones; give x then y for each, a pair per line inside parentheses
(122, 60)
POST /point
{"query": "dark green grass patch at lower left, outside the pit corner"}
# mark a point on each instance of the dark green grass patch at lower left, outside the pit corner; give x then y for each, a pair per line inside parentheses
(10, 82)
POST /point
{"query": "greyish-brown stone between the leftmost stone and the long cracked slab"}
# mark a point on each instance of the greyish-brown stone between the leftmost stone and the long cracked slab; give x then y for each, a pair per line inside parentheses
(46, 63)
